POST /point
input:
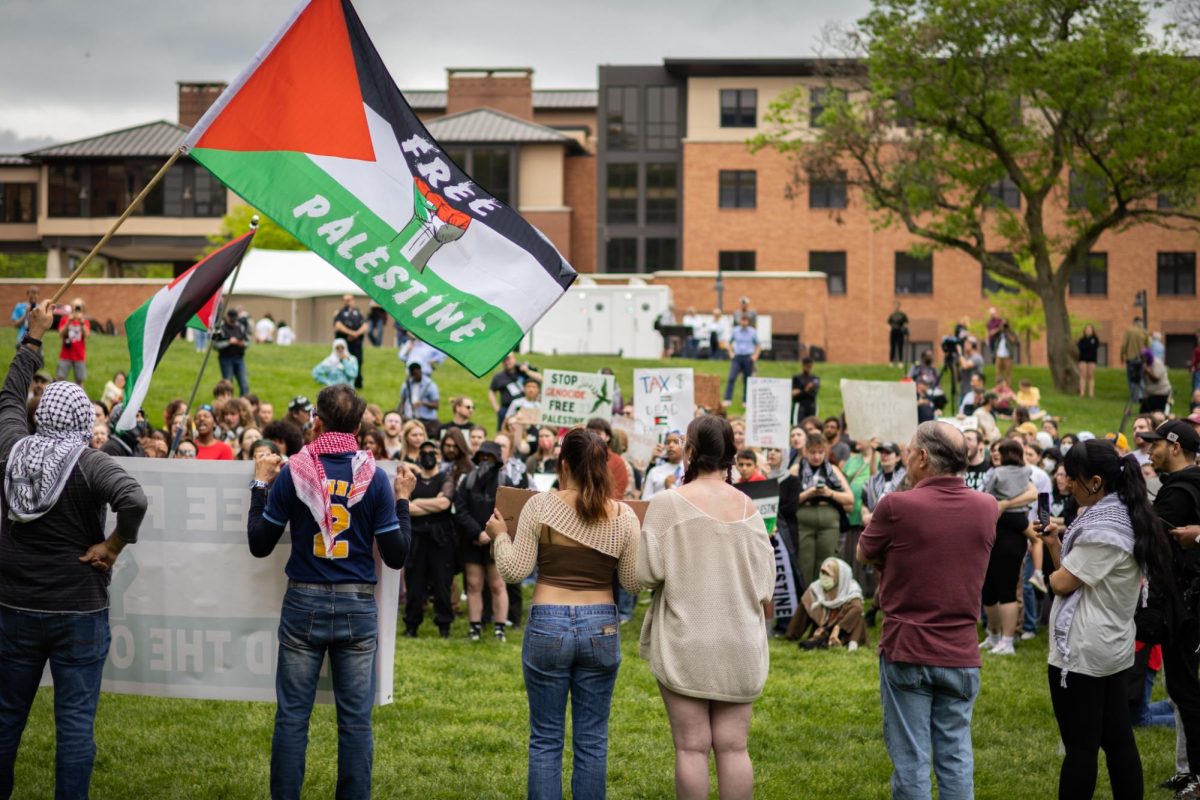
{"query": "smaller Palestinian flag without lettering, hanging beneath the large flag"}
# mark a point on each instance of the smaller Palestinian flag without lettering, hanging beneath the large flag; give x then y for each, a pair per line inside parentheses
(189, 302)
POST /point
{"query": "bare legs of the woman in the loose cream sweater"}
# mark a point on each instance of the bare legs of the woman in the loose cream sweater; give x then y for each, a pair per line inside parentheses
(700, 727)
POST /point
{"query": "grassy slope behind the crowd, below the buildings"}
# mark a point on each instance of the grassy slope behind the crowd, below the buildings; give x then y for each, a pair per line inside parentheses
(277, 375)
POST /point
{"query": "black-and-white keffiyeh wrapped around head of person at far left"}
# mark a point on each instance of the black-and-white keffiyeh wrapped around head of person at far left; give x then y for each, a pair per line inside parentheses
(41, 464)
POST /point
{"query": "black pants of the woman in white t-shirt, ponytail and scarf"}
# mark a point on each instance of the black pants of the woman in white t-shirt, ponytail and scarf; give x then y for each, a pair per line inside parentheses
(1094, 714)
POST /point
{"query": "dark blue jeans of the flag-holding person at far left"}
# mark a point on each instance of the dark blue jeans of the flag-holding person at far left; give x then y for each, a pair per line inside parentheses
(76, 646)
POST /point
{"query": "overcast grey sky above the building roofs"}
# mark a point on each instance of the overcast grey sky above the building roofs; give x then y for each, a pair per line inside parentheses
(80, 68)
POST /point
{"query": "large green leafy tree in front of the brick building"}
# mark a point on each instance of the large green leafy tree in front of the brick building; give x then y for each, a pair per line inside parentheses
(950, 107)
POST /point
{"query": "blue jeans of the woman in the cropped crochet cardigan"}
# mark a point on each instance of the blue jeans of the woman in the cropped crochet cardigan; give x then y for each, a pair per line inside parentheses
(571, 649)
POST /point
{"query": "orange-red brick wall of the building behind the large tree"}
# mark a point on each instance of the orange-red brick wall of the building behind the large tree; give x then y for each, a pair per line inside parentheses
(784, 232)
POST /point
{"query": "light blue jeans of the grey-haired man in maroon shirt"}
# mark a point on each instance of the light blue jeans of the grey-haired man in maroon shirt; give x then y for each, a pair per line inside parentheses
(927, 712)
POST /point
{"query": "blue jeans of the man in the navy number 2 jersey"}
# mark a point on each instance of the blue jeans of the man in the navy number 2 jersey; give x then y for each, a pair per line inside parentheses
(316, 622)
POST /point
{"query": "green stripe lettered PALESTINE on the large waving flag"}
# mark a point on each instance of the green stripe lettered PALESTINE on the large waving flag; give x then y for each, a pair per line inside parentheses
(280, 183)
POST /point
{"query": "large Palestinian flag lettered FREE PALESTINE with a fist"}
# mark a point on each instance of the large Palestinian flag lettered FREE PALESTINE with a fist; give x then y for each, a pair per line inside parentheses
(317, 136)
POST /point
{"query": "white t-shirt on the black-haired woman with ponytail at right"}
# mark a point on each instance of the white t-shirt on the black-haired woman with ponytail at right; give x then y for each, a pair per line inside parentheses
(1102, 634)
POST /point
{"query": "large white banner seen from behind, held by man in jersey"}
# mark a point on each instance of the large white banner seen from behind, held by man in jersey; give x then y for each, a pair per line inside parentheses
(193, 613)
